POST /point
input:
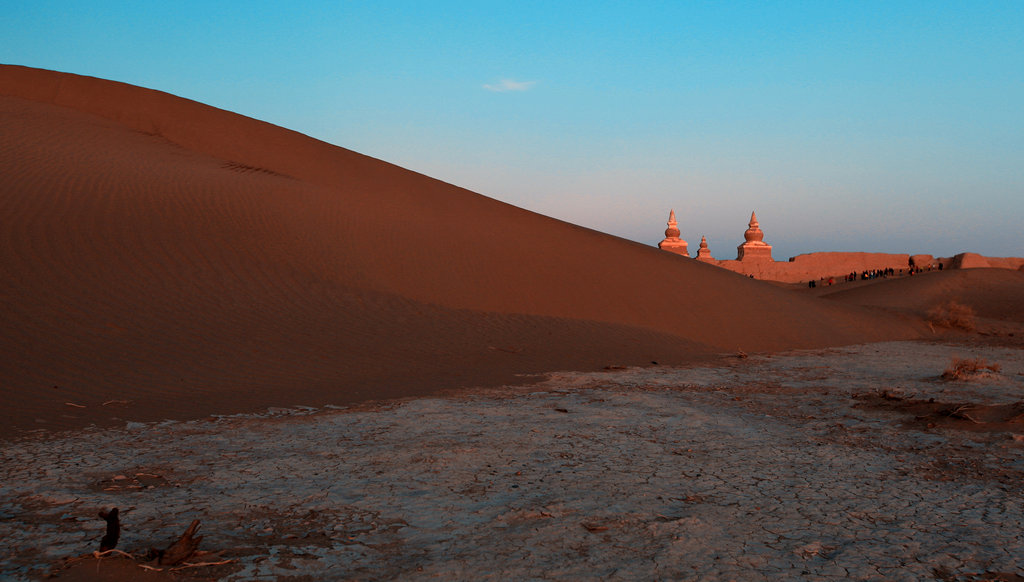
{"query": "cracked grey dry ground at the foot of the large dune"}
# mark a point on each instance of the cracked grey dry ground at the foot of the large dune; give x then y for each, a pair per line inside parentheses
(762, 470)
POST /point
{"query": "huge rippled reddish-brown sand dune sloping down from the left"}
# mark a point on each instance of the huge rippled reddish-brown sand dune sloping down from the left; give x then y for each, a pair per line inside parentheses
(191, 261)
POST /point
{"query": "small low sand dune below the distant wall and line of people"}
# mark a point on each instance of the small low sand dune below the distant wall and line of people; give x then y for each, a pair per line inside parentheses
(993, 294)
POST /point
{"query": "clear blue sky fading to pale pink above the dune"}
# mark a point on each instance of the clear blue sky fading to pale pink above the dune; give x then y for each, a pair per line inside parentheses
(876, 127)
